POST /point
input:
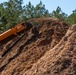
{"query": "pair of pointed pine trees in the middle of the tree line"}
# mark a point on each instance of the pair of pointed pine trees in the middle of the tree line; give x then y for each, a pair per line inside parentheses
(35, 12)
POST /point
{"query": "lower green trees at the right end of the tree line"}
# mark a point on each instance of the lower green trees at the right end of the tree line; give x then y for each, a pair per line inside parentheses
(58, 13)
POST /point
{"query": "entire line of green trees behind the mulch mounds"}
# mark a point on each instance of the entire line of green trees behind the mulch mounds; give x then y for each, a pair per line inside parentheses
(13, 12)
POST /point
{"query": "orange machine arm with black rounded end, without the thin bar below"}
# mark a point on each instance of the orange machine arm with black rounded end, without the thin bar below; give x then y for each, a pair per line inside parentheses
(11, 33)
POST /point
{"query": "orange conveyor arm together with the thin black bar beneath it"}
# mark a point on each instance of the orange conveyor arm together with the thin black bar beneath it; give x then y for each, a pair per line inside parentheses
(13, 32)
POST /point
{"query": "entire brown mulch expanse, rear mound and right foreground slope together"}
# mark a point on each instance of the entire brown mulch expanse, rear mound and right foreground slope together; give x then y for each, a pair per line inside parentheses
(49, 50)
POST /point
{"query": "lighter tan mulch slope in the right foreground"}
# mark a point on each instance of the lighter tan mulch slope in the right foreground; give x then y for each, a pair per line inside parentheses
(60, 60)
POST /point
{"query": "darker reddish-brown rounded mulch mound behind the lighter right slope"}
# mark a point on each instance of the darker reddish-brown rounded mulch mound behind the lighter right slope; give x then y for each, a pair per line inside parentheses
(32, 47)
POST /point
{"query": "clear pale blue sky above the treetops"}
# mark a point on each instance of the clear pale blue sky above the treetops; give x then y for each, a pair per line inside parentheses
(66, 6)
